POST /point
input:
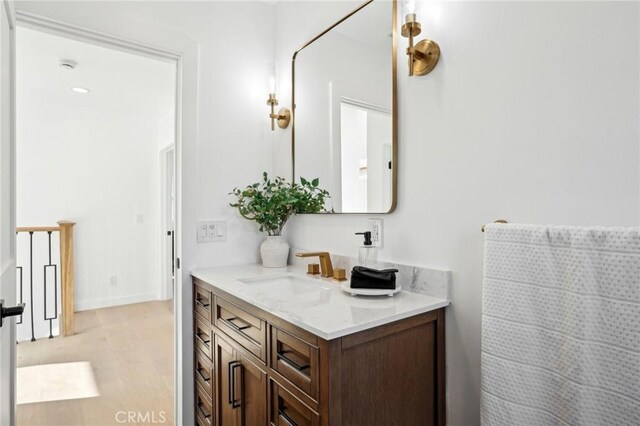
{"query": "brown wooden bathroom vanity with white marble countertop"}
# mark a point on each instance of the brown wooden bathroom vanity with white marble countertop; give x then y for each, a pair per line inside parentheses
(277, 347)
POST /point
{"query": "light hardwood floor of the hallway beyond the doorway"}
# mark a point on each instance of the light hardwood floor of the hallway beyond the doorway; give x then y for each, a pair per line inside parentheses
(130, 349)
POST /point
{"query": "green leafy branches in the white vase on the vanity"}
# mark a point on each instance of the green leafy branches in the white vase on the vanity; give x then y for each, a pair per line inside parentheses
(271, 202)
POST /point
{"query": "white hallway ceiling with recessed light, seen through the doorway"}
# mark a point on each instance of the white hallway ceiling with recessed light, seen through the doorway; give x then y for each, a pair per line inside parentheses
(120, 82)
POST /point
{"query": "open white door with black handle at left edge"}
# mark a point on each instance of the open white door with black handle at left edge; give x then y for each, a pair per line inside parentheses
(7, 215)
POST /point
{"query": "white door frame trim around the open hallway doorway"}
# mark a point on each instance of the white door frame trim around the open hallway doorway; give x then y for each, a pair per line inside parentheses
(39, 23)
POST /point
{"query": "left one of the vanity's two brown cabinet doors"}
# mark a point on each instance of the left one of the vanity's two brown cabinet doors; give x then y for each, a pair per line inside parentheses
(226, 366)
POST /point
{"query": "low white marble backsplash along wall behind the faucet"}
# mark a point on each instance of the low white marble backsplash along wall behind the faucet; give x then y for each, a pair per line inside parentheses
(416, 279)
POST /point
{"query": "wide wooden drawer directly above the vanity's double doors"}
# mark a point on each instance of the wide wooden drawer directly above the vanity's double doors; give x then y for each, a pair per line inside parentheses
(243, 327)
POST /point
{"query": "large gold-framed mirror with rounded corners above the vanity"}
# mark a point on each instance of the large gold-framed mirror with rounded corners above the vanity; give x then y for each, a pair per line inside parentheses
(344, 115)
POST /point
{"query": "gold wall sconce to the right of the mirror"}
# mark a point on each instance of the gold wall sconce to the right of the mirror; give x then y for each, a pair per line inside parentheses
(424, 56)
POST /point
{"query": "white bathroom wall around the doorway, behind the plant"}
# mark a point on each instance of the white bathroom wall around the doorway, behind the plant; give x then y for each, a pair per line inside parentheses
(226, 136)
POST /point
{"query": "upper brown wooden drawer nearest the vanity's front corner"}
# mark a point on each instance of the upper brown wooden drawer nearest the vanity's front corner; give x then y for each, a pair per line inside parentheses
(295, 360)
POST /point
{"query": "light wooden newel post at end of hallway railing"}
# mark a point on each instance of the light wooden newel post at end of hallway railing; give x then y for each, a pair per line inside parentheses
(66, 273)
